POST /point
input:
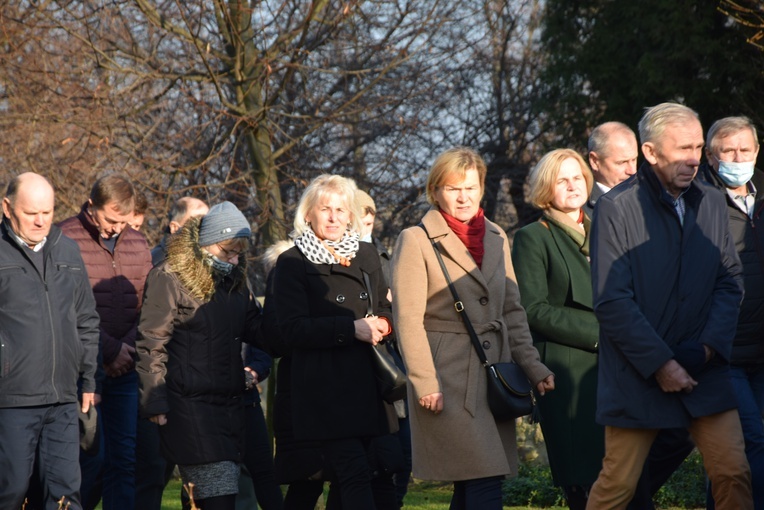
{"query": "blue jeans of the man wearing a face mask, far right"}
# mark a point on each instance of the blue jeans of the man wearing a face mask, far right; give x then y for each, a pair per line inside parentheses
(748, 384)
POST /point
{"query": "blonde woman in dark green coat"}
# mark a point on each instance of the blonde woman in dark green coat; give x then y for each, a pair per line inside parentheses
(551, 259)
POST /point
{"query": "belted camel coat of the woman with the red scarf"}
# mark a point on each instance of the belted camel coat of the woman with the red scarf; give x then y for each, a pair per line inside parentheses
(463, 442)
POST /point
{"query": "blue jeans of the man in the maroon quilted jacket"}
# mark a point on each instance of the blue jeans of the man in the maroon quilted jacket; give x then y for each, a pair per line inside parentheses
(115, 463)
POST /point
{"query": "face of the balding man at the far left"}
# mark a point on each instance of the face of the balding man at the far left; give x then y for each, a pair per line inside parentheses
(31, 213)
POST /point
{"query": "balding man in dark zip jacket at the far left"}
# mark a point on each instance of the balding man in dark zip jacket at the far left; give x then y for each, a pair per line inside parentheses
(49, 337)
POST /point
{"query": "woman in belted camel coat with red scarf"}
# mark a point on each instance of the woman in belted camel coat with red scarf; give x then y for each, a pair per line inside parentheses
(454, 435)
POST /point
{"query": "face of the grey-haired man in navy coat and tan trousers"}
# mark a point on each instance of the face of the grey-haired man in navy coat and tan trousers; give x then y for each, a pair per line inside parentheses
(676, 155)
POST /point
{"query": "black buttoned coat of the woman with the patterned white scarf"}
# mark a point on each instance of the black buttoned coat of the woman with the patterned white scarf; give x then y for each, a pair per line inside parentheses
(333, 389)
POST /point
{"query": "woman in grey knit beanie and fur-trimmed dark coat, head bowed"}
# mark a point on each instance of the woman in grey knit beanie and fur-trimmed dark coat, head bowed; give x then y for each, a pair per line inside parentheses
(197, 311)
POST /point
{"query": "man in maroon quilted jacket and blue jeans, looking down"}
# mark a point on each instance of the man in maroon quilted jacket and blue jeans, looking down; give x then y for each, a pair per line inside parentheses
(118, 260)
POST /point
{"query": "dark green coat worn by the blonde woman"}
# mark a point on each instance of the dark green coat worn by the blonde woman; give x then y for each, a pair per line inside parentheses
(556, 290)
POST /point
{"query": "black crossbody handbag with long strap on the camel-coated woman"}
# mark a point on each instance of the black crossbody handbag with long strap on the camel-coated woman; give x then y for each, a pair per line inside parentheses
(510, 394)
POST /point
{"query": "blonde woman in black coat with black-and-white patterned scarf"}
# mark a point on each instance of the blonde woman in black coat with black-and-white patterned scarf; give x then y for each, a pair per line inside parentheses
(321, 301)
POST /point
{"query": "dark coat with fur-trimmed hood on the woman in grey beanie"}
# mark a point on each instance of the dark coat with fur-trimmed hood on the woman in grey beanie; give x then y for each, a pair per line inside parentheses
(189, 348)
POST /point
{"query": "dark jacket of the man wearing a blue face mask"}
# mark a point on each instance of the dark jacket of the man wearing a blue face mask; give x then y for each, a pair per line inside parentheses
(748, 235)
